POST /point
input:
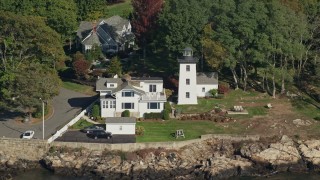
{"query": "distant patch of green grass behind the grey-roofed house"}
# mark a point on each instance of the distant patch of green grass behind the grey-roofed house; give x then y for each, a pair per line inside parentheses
(121, 9)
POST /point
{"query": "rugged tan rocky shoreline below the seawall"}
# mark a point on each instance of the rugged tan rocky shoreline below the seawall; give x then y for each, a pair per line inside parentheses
(209, 159)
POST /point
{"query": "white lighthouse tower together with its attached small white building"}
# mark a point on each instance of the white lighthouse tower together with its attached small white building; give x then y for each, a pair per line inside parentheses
(192, 84)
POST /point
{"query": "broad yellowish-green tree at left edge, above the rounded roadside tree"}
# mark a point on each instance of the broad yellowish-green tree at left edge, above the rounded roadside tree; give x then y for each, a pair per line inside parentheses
(24, 39)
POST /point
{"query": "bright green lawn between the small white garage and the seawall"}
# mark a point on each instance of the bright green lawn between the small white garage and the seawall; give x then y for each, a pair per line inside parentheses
(159, 131)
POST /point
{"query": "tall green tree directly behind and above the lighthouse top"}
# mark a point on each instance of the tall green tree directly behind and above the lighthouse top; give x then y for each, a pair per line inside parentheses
(181, 23)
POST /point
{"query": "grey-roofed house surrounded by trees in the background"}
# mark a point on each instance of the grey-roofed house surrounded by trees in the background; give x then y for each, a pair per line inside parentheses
(112, 35)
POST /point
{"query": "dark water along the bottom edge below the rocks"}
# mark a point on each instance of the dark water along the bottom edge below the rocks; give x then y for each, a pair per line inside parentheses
(40, 174)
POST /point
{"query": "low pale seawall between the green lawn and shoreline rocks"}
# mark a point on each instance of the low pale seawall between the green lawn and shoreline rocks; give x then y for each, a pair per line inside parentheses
(129, 147)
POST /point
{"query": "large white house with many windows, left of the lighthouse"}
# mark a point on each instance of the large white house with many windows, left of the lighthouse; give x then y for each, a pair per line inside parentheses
(138, 95)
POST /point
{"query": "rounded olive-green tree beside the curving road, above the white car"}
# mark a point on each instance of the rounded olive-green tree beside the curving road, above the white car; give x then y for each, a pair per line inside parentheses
(32, 82)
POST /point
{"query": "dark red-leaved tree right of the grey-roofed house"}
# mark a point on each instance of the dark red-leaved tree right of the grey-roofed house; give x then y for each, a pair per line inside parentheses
(145, 13)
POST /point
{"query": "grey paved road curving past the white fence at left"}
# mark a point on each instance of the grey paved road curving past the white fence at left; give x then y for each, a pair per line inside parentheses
(66, 106)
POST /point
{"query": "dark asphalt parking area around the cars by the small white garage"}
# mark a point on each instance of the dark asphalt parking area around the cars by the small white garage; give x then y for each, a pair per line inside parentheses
(77, 136)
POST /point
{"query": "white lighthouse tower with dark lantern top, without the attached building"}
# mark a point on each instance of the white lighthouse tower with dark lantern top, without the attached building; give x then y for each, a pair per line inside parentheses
(187, 92)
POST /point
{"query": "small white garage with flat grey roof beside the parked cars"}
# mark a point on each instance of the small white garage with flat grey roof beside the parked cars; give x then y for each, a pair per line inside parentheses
(121, 125)
